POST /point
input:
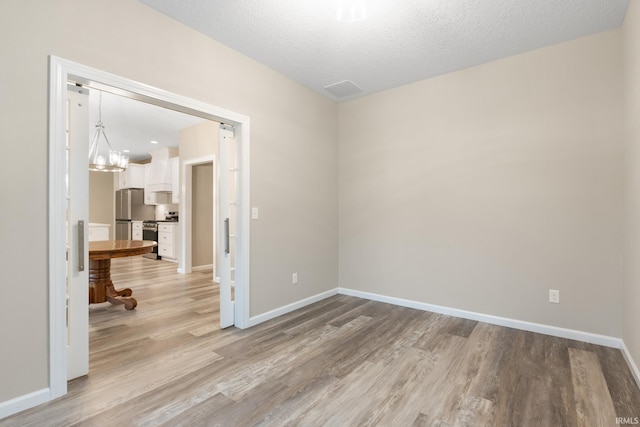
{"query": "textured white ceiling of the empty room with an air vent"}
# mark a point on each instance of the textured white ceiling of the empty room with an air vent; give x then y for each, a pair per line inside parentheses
(400, 41)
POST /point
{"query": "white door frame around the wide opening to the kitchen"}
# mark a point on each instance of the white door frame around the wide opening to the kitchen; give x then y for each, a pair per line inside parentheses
(61, 71)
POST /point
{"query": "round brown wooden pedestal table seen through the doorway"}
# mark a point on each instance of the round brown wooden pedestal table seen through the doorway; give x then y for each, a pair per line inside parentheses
(101, 287)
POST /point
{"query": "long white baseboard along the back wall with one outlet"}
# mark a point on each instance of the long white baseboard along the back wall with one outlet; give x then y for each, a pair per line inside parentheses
(494, 320)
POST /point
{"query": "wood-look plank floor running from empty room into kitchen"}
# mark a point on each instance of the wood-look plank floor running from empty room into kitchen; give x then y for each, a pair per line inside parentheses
(341, 362)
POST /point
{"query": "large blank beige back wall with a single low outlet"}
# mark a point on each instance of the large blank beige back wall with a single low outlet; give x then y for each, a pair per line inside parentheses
(482, 189)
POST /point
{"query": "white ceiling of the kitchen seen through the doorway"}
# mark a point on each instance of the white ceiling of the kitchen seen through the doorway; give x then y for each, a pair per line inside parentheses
(132, 125)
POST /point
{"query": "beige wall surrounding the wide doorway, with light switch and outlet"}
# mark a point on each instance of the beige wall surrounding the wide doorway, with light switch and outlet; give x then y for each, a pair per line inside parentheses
(293, 154)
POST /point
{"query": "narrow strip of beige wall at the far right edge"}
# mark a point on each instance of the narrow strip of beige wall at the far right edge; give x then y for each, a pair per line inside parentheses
(631, 295)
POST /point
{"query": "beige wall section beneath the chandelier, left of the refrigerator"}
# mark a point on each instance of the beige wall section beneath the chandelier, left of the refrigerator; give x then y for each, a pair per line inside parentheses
(101, 199)
